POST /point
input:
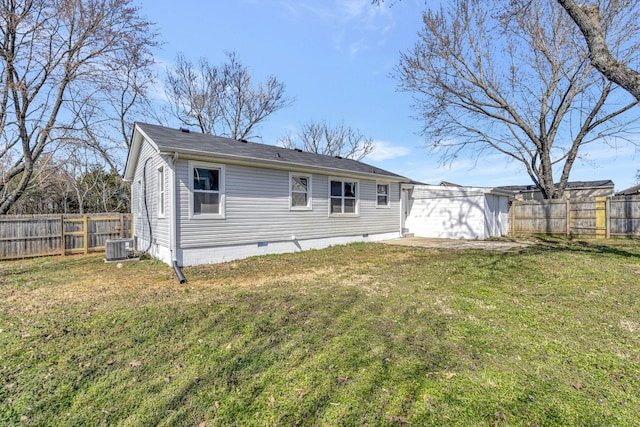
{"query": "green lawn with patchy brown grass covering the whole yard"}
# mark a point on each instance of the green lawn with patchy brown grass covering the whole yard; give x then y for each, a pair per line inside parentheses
(364, 334)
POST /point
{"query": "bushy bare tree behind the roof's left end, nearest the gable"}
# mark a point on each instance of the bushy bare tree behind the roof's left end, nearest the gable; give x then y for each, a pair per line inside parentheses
(222, 100)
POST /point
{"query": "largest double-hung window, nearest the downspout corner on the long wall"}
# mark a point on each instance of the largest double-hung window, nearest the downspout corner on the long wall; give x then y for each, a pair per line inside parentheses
(207, 190)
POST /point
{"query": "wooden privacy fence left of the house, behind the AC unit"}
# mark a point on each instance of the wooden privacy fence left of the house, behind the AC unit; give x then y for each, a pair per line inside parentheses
(25, 236)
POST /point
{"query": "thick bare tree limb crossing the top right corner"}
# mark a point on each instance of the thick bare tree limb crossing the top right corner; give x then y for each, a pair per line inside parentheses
(595, 25)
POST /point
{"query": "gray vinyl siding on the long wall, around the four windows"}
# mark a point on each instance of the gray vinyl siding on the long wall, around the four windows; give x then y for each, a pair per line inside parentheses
(257, 210)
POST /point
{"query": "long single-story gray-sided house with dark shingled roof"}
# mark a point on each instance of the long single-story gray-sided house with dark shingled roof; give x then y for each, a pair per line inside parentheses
(199, 198)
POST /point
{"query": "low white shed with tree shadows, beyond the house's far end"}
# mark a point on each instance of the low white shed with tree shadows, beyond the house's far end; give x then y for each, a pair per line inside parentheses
(457, 212)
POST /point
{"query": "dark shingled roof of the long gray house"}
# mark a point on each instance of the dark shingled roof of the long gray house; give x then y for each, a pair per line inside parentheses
(175, 140)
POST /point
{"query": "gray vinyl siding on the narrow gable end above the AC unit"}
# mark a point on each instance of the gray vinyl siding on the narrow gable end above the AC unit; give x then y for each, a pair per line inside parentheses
(160, 226)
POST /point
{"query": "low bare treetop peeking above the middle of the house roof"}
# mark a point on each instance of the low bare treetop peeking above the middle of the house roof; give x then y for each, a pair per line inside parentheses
(323, 138)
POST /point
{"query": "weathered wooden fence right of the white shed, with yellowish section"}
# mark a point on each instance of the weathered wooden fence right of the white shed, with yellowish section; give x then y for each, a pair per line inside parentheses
(599, 217)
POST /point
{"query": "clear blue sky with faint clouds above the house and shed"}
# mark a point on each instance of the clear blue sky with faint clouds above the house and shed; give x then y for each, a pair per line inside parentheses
(335, 58)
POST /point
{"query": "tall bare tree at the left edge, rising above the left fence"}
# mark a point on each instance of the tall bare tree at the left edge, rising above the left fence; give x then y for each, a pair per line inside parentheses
(51, 52)
